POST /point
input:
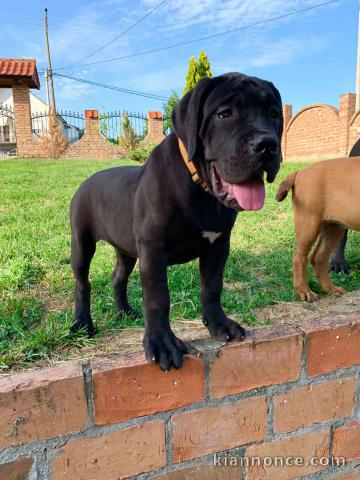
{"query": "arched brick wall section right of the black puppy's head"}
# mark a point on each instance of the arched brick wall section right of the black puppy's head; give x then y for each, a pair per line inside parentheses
(321, 131)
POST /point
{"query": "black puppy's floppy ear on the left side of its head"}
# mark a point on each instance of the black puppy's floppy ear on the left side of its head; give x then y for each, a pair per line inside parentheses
(187, 116)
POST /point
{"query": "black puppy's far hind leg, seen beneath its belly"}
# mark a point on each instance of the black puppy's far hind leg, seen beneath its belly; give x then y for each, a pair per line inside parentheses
(120, 276)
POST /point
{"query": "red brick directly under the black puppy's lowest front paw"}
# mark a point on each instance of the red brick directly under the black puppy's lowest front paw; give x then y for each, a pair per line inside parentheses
(129, 388)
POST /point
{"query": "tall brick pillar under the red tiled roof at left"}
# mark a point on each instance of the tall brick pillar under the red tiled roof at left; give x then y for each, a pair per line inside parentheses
(22, 113)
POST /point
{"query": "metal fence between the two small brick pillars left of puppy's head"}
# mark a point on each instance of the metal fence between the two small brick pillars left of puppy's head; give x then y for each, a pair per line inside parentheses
(112, 124)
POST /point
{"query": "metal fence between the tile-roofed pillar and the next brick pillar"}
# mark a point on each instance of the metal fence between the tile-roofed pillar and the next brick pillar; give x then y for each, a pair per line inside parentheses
(71, 124)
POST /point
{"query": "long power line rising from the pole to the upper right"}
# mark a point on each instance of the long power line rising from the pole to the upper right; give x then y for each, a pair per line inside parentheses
(207, 37)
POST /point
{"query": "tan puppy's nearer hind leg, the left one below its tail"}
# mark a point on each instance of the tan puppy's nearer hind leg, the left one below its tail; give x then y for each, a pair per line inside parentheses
(307, 230)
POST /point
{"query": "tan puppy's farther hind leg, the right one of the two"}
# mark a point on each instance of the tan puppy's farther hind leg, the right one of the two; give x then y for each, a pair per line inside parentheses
(329, 238)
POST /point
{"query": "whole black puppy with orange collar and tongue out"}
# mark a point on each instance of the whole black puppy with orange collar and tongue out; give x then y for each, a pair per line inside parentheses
(181, 206)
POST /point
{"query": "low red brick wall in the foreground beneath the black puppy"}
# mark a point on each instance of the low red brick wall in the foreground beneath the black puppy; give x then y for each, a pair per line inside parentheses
(287, 391)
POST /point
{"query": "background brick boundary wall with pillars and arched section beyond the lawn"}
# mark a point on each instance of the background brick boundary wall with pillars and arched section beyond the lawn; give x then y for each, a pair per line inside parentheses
(316, 132)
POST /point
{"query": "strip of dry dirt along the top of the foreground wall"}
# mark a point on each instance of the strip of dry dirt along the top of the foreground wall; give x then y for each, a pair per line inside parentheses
(129, 341)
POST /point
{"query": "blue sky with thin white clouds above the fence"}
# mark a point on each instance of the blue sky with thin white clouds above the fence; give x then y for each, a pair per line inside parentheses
(310, 57)
